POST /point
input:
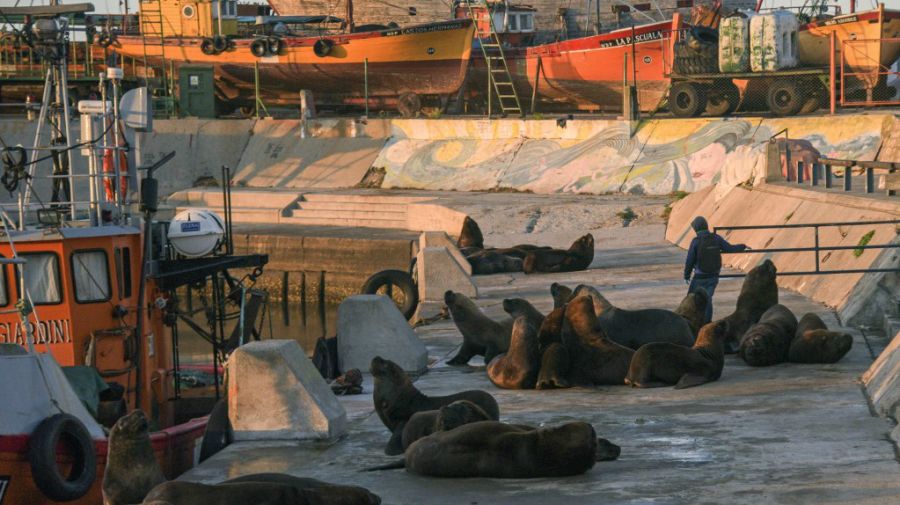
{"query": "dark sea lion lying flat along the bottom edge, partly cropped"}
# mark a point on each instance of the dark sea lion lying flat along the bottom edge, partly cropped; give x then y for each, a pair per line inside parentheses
(261, 489)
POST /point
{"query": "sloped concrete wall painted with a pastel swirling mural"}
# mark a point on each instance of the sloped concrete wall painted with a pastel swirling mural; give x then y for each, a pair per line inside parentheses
(602, 157)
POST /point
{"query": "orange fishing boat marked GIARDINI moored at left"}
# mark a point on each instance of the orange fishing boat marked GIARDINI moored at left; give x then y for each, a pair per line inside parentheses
(89, 309)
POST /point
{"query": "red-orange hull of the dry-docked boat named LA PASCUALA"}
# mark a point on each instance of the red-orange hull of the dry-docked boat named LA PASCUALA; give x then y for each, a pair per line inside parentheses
(588, 73)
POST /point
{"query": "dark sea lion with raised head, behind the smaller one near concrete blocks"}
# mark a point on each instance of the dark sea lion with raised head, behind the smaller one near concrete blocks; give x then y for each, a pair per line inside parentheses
(396, 399)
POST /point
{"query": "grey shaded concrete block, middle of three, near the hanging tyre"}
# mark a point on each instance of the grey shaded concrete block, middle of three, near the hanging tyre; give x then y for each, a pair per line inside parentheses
(371, 325)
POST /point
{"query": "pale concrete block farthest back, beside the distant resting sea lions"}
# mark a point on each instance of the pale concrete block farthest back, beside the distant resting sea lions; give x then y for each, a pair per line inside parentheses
(438, 271)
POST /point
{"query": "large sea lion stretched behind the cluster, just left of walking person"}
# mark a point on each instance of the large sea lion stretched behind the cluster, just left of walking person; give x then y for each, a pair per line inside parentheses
(634, 328)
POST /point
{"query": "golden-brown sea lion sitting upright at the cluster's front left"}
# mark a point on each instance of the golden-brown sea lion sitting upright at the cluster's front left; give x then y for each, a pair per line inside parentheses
(518, 367)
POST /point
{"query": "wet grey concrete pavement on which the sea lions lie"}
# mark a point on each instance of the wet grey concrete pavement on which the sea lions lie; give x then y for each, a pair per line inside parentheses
(783, 434)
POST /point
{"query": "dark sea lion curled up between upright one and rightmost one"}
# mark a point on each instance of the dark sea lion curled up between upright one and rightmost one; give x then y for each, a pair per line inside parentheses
(768, 341)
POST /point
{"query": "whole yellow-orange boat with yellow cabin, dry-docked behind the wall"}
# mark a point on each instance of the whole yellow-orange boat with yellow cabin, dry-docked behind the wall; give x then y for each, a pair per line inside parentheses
(320, 54)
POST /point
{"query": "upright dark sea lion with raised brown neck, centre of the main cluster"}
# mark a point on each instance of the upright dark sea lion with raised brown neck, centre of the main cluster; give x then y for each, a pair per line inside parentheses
(593, 358)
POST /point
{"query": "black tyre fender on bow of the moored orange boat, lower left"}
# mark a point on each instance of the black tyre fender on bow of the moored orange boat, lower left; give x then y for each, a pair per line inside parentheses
(42, 456)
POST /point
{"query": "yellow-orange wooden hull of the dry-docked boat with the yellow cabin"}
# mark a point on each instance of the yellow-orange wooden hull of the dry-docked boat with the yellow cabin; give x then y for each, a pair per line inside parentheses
(426, 60)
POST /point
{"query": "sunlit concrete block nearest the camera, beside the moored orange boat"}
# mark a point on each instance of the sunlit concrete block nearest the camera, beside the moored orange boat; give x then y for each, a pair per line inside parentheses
(275, 393)
